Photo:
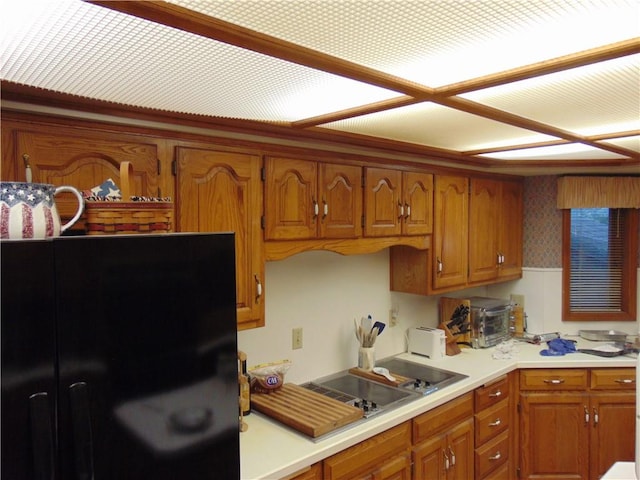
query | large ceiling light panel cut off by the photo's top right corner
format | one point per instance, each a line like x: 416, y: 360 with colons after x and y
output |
x: 435, y: 43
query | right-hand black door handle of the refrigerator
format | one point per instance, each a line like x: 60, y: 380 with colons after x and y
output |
x: 81, y: 426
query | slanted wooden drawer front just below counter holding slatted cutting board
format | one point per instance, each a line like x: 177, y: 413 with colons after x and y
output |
x: 356, y: 461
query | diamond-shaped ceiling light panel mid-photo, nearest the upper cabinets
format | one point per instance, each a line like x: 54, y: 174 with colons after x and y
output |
x: 438, y: 126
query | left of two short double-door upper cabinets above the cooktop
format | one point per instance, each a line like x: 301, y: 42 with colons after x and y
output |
x: 306, y: 199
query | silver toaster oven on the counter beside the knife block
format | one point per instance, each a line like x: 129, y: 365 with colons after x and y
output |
x: 490, y: 321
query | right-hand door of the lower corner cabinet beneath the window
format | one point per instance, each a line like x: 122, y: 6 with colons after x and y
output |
x: 613, y: 433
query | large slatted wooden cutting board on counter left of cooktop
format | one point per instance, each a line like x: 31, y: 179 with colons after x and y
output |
x: 308, y: 412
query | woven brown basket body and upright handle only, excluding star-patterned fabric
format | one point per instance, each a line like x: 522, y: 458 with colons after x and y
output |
x: 112, y: 218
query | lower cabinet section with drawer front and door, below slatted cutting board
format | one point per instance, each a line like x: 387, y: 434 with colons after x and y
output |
x: 385, y: 456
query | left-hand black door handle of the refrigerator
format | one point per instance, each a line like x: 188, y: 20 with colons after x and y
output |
x: 41, y: 436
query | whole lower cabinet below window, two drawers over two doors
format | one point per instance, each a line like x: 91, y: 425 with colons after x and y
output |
x: 575, y: 423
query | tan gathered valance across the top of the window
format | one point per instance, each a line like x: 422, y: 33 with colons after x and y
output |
x: 598, y: 192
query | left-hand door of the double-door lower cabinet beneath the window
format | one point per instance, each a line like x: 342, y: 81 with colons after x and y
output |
x: 554, y: 435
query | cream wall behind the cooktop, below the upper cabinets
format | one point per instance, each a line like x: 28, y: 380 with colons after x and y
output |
x: 323, y: 292
